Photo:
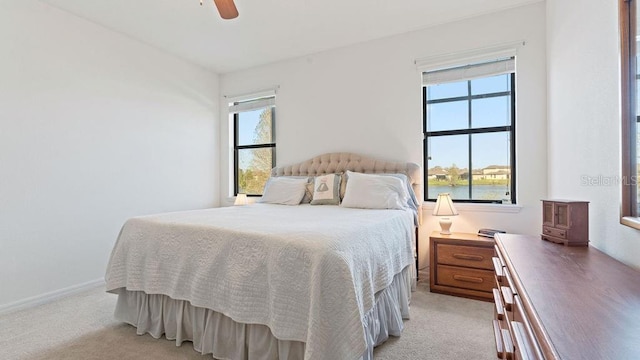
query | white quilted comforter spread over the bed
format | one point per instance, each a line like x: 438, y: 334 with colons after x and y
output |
x: 308, y: 272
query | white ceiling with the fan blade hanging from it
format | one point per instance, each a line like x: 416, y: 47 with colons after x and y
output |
x: 269, y: 30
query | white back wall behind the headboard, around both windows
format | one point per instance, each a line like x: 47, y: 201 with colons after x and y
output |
x: 366, y: 98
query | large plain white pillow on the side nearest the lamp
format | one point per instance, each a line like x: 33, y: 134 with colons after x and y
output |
x: 369, y: 191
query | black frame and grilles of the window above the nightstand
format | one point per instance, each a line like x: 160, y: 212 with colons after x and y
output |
x: 468, y: 131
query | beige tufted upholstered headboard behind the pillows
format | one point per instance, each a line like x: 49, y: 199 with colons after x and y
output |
x: 340, y: 162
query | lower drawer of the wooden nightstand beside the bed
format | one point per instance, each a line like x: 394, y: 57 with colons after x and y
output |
x: 475, y: 279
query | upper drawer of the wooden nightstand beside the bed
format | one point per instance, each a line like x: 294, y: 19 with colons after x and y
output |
x: 469, y: 256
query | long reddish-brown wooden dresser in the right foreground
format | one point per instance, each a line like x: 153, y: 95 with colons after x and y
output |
x: 560, y: 302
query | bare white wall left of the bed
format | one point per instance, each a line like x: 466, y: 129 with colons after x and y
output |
x: 94, y: 128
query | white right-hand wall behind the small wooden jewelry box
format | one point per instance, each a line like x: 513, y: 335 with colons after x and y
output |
x: 584, y: 112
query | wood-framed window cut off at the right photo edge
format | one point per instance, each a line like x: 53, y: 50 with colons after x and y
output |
x: 630, y: 88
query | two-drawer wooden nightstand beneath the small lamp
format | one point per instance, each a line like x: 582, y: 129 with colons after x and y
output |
x: 461, y: 265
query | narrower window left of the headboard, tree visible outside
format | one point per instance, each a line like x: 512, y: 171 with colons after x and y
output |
x: 254, y: 143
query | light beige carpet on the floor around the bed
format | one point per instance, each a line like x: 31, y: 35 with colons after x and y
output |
x: 81, y: 326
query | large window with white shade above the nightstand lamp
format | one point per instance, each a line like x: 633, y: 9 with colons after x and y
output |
x: 469, y: 132
